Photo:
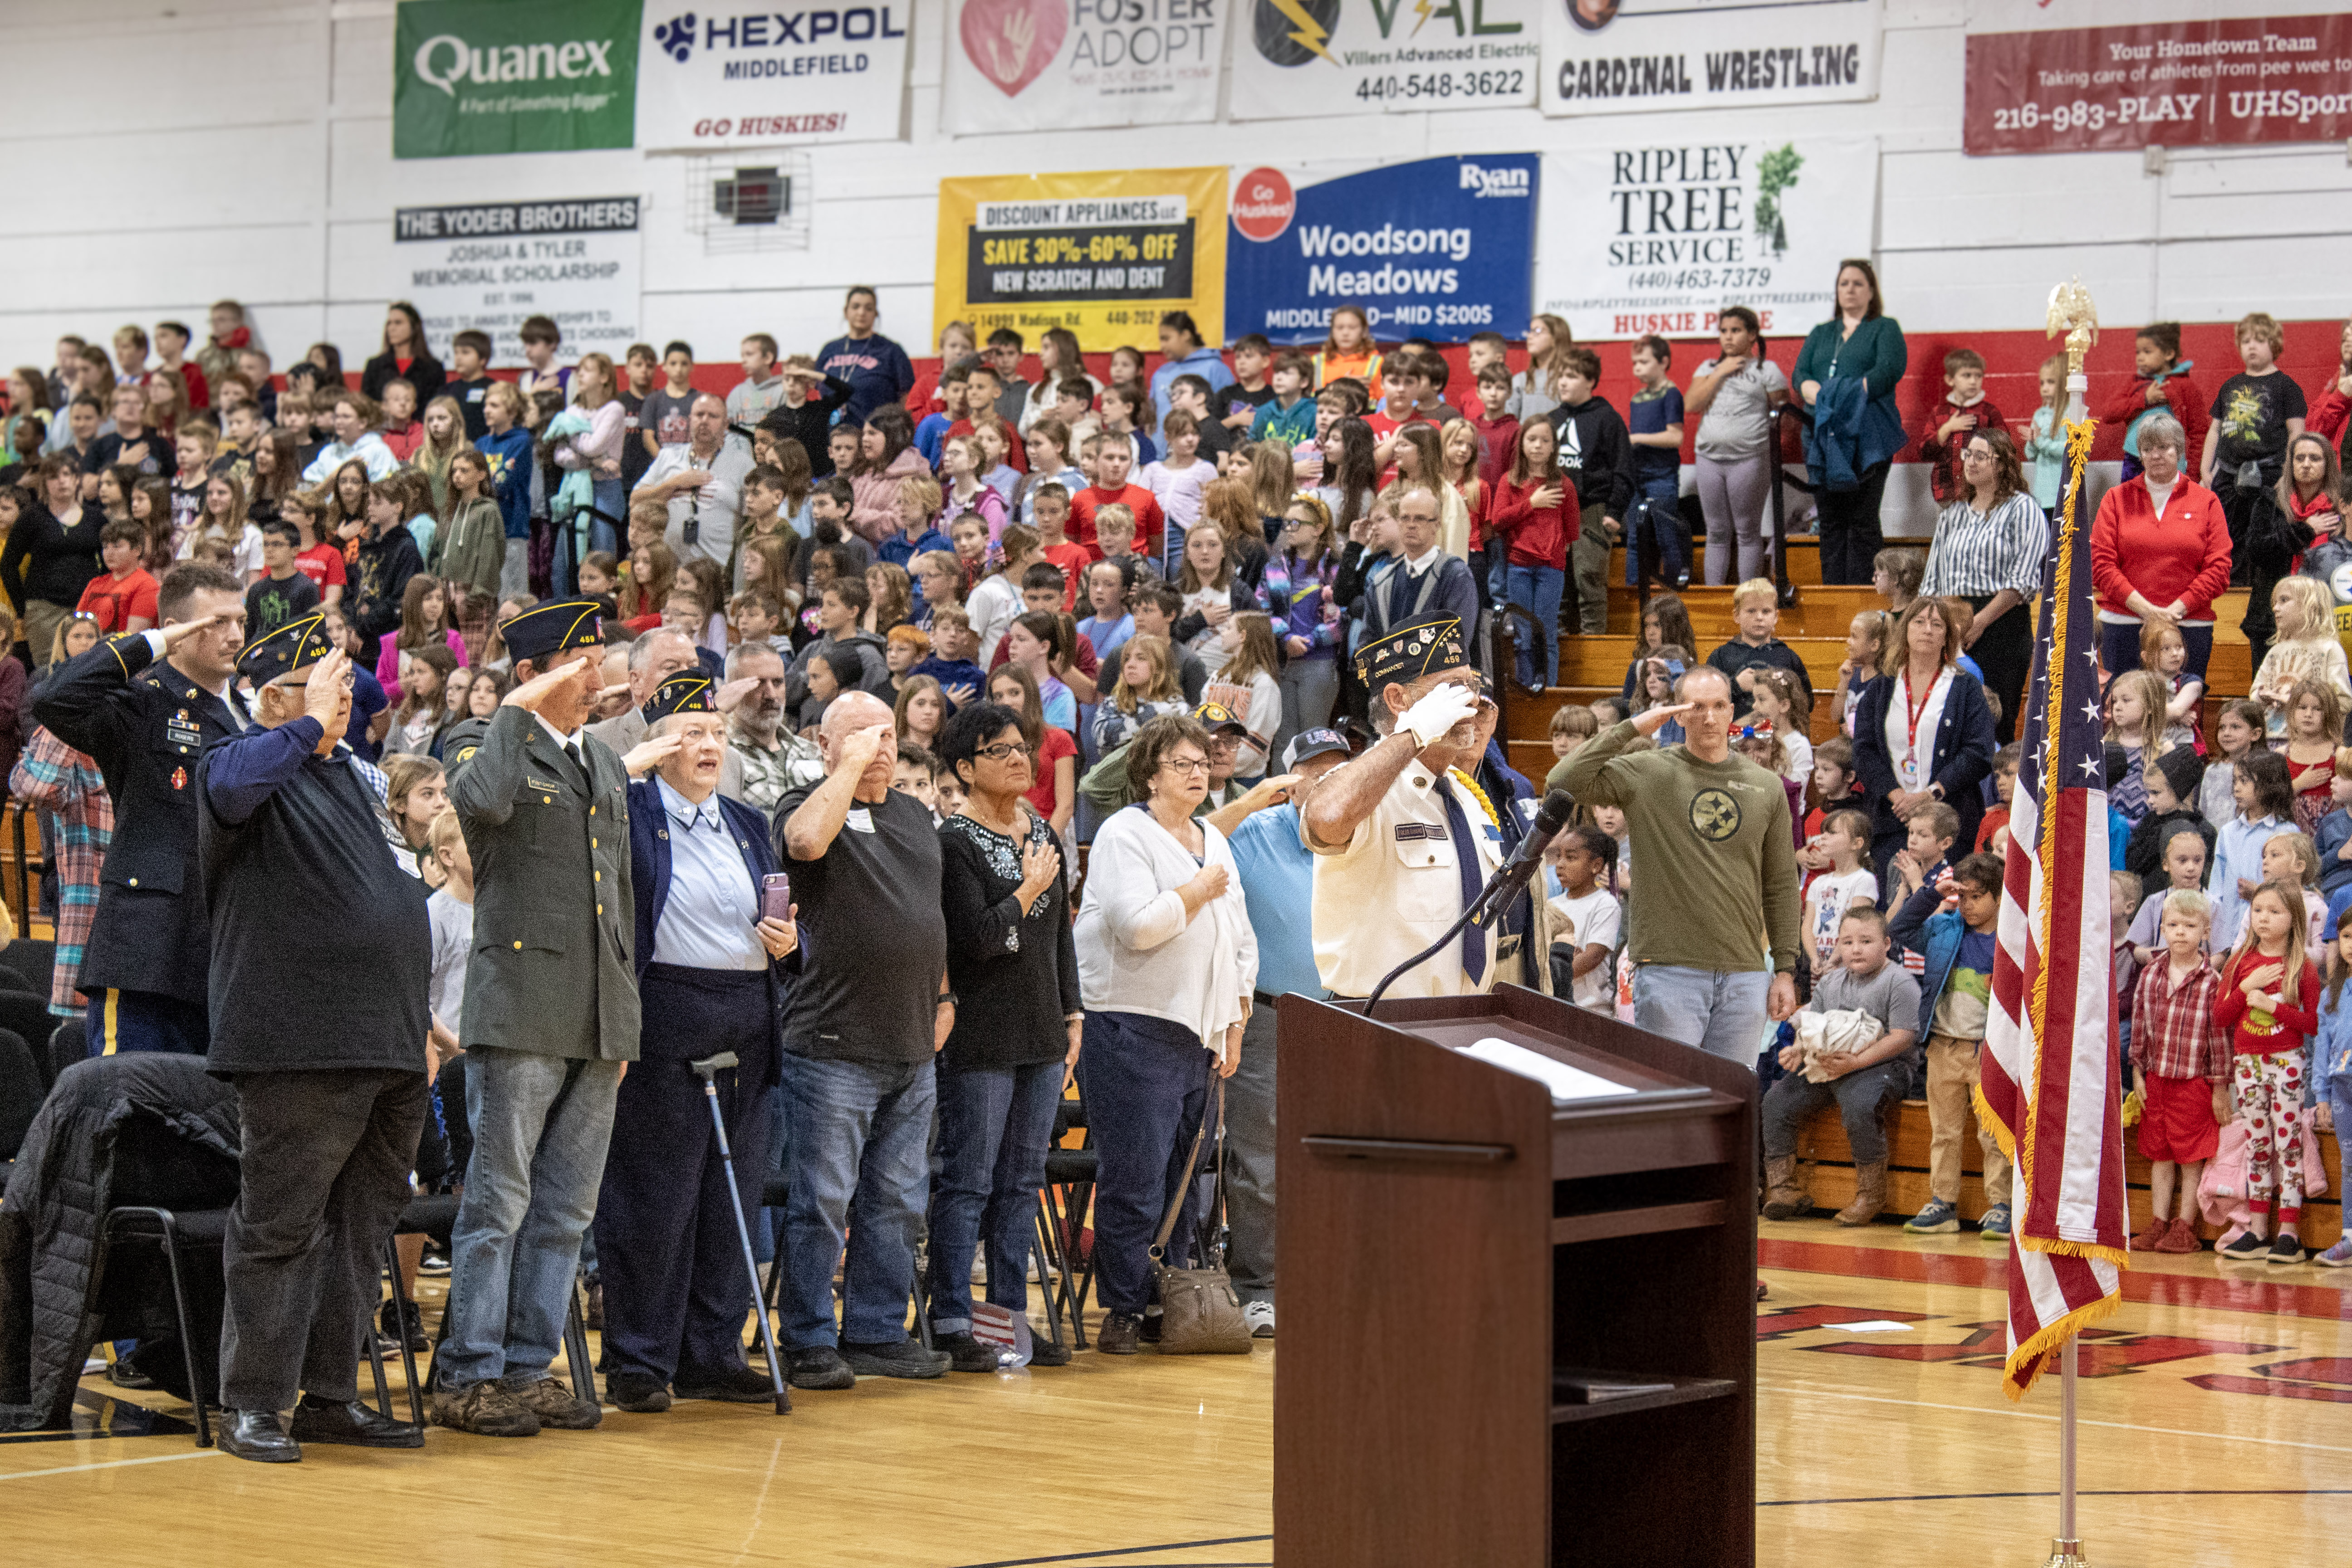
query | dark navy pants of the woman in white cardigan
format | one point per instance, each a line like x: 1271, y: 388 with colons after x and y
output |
x: 1147, y: 1085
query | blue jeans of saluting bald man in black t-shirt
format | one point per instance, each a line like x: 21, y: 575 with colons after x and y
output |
x: 860, y: 1139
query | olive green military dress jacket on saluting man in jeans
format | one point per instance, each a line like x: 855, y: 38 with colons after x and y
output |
x: 554, y: 916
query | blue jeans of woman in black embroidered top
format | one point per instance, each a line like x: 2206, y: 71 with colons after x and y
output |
x: 994, y: 1130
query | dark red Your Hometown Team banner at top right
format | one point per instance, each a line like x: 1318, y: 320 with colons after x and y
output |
x: 2160, y: 83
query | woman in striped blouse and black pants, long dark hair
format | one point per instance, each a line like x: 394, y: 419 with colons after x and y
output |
x: 1989, y: 551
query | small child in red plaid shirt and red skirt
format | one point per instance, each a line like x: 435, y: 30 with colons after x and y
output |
x: 2181, y: 1068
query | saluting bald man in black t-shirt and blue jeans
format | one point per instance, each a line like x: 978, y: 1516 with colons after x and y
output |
x: 860, y: 1036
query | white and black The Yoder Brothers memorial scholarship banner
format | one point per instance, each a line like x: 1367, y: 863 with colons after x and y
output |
x: 490, y: 264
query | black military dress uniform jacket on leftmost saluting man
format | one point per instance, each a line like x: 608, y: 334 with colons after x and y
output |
x: 147, y: 725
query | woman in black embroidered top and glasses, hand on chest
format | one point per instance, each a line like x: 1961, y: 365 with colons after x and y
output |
x: 1015, y: 974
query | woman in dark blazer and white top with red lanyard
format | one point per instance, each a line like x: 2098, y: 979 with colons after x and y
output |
x: 1923, y: 730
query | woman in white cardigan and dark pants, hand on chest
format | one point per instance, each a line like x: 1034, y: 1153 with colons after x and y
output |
x: 1165, y: 967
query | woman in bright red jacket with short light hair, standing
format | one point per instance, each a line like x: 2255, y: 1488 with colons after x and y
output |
x: 2160, y: 554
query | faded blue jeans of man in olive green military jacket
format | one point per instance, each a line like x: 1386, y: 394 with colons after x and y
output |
x: 540, y: 1134
